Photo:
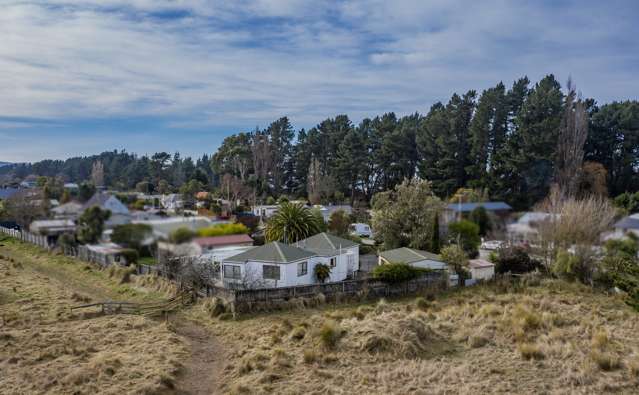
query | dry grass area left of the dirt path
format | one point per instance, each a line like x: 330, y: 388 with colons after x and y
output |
x: 47, y: 349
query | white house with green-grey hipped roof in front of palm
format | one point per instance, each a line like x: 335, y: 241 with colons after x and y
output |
x: 276, y: 264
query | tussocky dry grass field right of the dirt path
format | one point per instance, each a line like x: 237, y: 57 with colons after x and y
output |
x: 537, y: 339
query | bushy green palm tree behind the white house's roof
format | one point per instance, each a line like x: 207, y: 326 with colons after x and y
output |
x: 291, y: 223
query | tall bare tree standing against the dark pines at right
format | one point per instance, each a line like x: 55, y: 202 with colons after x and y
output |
x: 572, y: 137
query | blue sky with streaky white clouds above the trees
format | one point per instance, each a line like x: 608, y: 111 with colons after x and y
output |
x: 82, y: 77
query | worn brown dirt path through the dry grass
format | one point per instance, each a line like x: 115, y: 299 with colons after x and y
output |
x: 203, y: 368
